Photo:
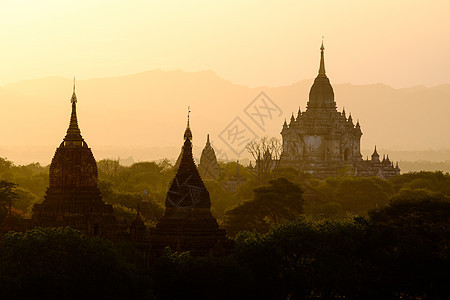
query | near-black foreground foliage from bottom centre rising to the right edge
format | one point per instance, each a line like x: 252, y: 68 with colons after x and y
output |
x: 400, y: 251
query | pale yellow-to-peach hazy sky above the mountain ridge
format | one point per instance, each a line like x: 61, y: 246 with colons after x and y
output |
x: 400, y: 43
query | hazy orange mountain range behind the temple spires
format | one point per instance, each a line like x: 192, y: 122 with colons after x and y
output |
x: 144, y: 115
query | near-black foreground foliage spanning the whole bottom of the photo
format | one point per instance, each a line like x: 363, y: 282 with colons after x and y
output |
x: 400, y: 251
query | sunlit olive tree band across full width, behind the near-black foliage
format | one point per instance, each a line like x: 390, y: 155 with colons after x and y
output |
x: 250, y: 205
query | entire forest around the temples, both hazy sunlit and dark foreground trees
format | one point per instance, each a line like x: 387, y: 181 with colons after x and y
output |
x: 296, y: 237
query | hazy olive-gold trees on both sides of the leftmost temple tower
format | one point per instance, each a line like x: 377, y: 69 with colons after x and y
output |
x: 121, y: 186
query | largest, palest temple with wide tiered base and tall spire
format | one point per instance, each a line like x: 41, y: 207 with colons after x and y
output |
x: 321, y: 140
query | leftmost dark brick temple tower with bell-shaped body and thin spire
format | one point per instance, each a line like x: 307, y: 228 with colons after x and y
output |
x: 73, y: 198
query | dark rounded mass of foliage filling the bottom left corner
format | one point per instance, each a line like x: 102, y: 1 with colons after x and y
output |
x: 62, y: 263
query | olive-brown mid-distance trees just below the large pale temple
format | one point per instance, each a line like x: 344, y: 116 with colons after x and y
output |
x: 337, y: 198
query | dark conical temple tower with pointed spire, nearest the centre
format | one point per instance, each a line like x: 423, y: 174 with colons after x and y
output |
x: 187, y: 224
